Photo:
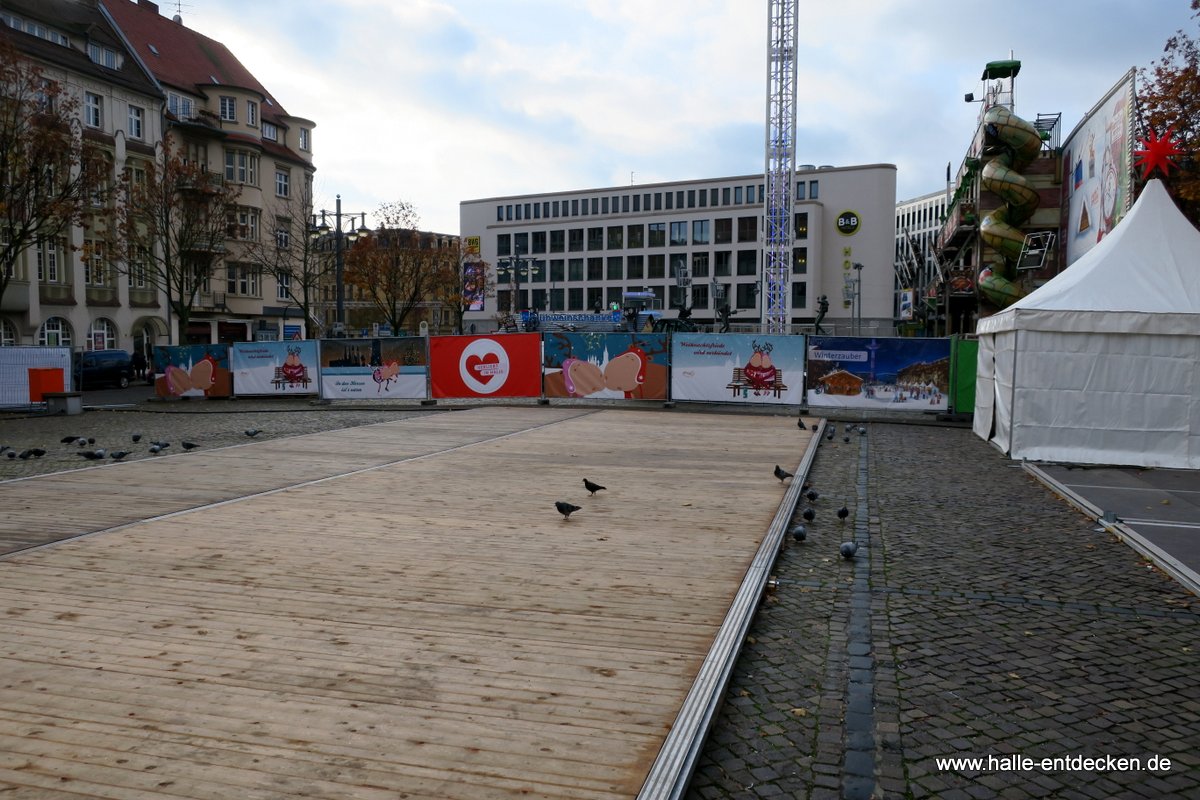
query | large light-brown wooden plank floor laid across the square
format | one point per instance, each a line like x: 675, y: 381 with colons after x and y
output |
x: 428, y: 629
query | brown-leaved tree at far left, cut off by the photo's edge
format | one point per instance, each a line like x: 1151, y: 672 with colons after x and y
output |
x: 53, y: 177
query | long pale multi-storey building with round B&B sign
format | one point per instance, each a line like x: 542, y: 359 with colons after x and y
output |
x: 583, y: 251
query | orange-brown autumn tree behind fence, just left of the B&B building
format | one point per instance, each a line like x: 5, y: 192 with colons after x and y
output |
x: 400, y: 269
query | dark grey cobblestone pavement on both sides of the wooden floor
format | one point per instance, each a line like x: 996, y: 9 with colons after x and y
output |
x: 982, y: 617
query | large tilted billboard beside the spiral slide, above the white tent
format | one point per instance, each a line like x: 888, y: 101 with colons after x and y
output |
x: 1097, y: 171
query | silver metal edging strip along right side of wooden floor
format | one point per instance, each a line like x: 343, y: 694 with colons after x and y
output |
x: 671, y: 772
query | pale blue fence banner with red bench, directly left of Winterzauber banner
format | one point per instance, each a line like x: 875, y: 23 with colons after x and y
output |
x: 737, y: 369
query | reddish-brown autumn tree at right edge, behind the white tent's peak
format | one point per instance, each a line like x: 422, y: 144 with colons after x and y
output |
x: 1171, y: 99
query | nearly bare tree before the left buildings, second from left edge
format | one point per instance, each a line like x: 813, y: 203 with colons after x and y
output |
x: 173, y: 228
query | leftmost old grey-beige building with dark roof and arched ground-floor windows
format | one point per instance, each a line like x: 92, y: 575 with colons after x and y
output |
x: 63, y: 291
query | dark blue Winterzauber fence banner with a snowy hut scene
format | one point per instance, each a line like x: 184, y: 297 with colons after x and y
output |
x: 909, y: 375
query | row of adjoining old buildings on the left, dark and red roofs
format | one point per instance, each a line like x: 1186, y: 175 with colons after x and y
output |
x: 149, y: 87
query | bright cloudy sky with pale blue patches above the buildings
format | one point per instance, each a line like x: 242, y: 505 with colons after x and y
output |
x: 441, y: 101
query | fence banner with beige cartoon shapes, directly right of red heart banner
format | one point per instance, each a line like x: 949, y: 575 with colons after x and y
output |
x: 631, y: 366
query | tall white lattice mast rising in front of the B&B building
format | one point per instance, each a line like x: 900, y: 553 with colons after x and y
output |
x: 781, y: 171
